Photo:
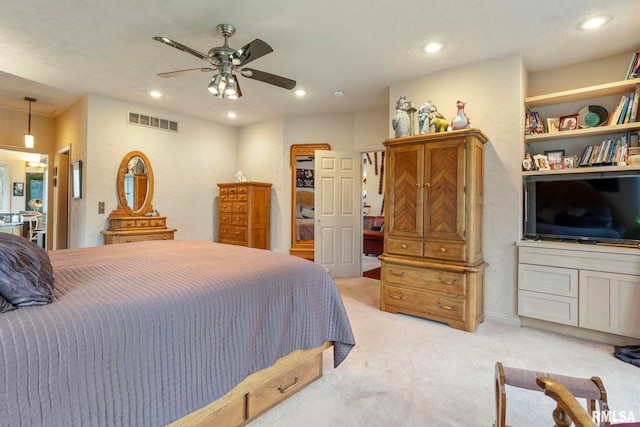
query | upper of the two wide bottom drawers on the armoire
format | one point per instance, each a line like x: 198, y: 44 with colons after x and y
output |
x: 424, y: 279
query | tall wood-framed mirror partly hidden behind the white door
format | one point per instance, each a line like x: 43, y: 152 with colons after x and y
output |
x: 302, y: 158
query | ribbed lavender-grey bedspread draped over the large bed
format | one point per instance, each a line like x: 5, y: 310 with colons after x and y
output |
x: 144, y: 333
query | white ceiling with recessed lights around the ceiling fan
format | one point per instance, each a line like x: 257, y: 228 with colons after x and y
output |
x: 57, y: 51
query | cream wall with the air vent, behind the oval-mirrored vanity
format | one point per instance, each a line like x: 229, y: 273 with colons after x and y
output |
x: 186, y: 165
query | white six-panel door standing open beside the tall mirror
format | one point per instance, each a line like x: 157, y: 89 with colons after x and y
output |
x: 338, y: 217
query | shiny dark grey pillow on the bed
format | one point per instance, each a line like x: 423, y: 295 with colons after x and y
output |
x: 26, y: 275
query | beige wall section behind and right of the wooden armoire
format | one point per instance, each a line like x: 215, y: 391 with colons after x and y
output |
x: 493, y: 91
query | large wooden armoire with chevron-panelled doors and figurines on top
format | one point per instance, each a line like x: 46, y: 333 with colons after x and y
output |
x: 432, y: 265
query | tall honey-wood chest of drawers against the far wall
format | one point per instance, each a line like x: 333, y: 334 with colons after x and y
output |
x: 244, y: 212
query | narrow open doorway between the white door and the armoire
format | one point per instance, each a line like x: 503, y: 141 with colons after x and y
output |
x: 373, y: 212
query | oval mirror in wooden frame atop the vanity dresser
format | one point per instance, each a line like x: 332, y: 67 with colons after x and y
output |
x: 135, y: 184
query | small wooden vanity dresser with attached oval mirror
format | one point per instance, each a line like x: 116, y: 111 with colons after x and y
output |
x: 135, y: 219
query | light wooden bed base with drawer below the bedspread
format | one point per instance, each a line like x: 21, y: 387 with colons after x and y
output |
x: 260, y: 391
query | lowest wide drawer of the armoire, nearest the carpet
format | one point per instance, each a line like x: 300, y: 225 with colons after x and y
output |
x: 440, y: 305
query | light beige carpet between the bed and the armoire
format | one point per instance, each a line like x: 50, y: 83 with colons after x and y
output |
x: 407, y: 371
